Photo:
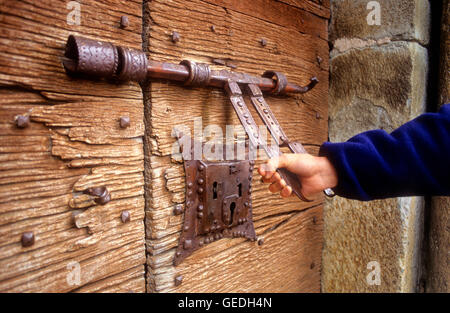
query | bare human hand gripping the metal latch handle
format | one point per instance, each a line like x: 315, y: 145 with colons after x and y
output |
x: 315, y: 173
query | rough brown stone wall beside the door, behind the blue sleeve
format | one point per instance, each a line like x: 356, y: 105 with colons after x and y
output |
x: 378, y: 79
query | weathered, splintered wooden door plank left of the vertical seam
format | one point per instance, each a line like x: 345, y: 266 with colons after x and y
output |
x: 73, y: 142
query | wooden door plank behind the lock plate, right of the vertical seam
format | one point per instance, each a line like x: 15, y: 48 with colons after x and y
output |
x: 289, y: 260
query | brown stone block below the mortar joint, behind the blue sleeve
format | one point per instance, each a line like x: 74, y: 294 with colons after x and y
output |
x: 374, y: 87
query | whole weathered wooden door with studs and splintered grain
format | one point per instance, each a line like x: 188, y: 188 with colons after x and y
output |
x: 74, y: 142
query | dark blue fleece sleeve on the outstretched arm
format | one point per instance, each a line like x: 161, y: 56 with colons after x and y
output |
x: 412, y: 160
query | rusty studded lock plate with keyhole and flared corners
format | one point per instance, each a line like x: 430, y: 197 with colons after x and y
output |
x: 218, y: 204
